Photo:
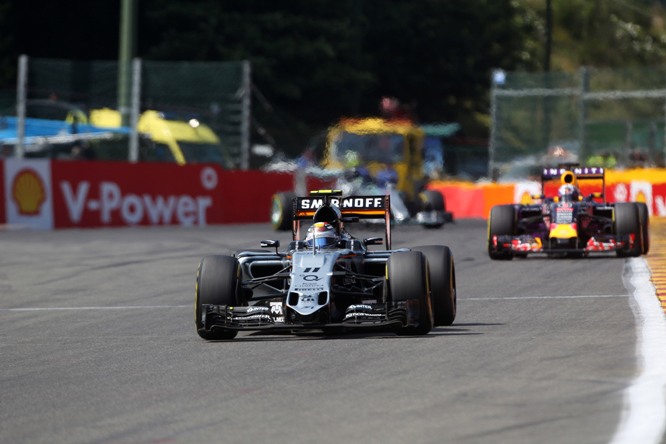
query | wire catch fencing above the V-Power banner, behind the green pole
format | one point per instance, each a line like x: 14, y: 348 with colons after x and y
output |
x: 217, y: 94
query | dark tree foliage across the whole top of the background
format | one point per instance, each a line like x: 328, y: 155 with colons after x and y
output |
x: 316, y: 60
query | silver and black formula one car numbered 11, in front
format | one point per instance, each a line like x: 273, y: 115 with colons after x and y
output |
x: 331, y: 281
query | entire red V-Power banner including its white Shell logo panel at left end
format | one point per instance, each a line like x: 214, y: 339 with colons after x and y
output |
x: 45, y: 194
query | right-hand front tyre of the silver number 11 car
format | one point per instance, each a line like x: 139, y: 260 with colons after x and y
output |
x: 408, y: 281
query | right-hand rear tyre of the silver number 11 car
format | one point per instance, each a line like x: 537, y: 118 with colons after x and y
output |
x: 442, y: 282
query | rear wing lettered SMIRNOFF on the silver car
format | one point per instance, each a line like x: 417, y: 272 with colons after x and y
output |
x: 352, y: 208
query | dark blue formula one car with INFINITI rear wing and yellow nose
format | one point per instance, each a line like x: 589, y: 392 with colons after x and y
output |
x: 569, y: 224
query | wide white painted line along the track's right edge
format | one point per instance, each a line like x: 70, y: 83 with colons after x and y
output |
x: 644, y: 412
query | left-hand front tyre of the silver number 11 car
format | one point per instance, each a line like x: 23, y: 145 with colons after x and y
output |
x: 217, y: 284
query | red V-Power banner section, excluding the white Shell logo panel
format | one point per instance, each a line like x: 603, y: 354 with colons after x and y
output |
x: 89, y: 194
